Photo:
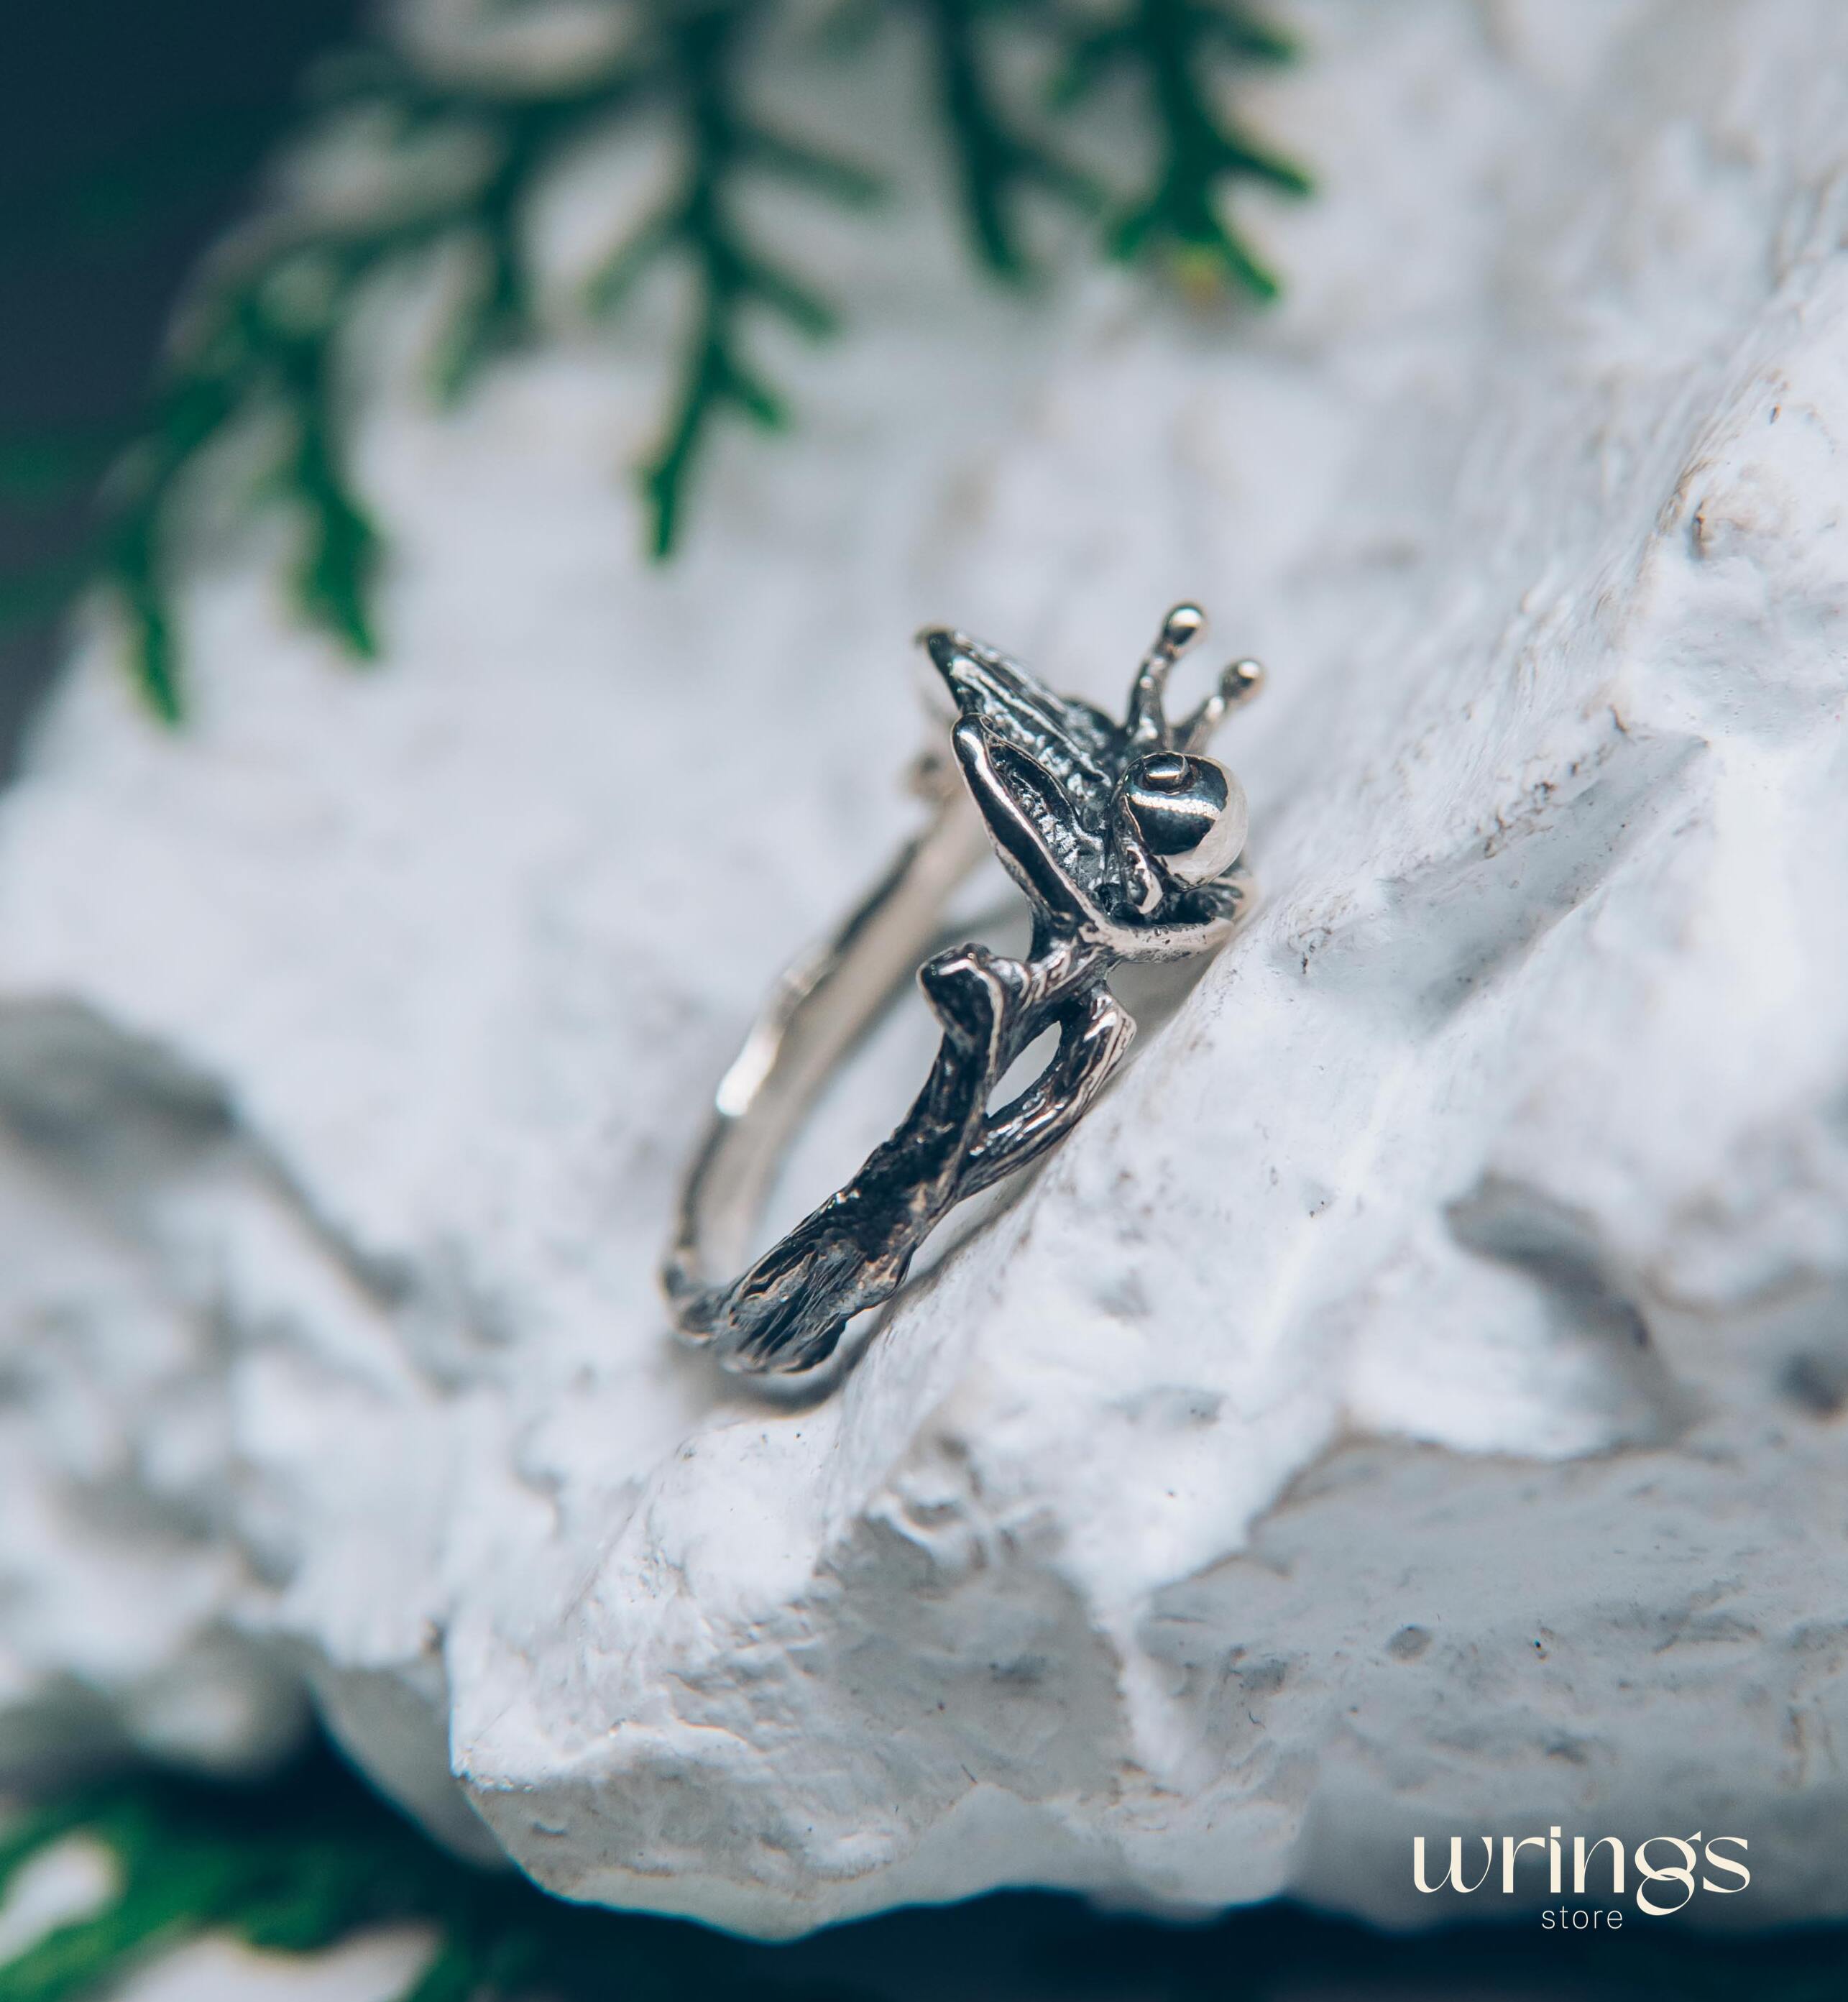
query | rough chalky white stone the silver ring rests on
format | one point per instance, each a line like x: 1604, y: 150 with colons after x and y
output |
x: 1411, y: 1404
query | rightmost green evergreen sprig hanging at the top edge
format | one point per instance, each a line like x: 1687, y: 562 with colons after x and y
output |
x: 1172, y: 47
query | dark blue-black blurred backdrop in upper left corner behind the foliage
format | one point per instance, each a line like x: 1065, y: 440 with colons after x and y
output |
x: 129, y: 135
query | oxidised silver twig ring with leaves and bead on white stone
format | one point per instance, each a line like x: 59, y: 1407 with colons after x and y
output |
x: 1126, y: 840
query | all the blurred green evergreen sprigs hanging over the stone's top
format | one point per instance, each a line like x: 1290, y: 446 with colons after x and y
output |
x: 263, y: 329
